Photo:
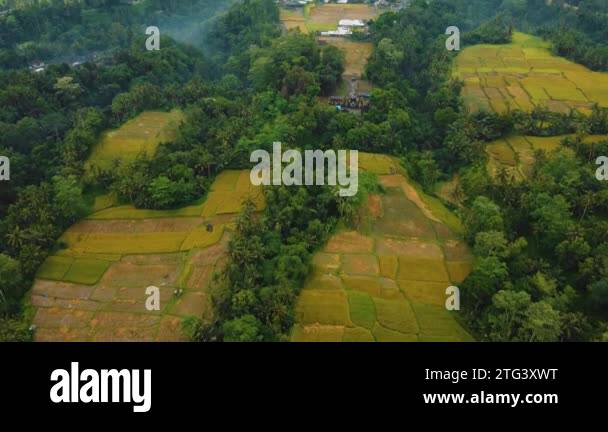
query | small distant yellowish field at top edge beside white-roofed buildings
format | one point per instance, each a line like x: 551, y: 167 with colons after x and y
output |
x: 315, y: 18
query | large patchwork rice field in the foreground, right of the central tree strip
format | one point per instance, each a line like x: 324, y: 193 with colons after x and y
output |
x: 387, y: 282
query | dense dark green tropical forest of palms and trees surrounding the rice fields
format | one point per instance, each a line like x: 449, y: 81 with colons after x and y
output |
x: 541, y: 244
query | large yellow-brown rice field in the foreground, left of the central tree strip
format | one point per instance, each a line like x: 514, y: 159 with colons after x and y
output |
x: 93, y: 287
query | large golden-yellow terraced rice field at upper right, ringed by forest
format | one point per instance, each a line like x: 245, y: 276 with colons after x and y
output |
x: 525, y: 74
